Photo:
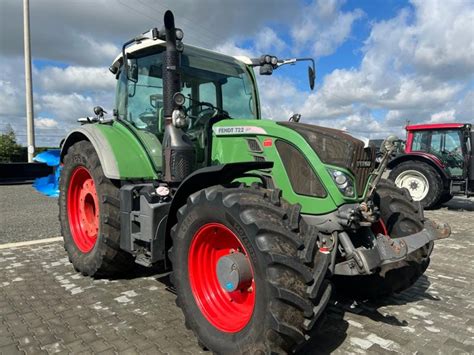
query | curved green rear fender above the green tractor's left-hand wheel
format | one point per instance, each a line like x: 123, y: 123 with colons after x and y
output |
x: 121, y: 154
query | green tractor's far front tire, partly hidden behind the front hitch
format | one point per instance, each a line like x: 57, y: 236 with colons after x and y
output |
x: 402, y: 216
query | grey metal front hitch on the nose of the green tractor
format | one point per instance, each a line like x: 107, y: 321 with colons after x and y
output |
x: 387, y: 250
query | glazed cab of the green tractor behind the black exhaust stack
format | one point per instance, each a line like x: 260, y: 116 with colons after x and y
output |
x: 214, y: 86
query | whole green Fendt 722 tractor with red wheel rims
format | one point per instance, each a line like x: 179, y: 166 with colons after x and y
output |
x: 259, y: 221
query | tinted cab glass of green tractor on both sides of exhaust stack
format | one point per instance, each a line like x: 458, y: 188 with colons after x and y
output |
x: 206, y: 77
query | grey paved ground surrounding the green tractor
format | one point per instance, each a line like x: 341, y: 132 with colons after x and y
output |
x: 46, y: 307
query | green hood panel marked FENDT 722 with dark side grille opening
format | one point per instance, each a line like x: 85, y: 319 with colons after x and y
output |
x: 229, y: 145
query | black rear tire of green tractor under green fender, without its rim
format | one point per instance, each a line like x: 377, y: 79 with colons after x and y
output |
x: 105, y: 258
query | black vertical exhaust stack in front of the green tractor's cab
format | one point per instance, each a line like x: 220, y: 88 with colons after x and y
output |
x: 178, y: 150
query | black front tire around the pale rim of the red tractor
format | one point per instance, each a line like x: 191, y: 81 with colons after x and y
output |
x: 435, y: 182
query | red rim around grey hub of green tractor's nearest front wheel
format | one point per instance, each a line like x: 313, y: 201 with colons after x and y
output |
x: 227, y: 311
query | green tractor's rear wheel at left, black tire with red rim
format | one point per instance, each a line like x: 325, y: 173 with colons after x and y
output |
x: 89, y: 212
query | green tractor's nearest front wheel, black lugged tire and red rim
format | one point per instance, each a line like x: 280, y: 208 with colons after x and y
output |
x: 248, y: 275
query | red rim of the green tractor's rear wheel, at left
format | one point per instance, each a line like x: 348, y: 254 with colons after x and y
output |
x: 83, y: 209
